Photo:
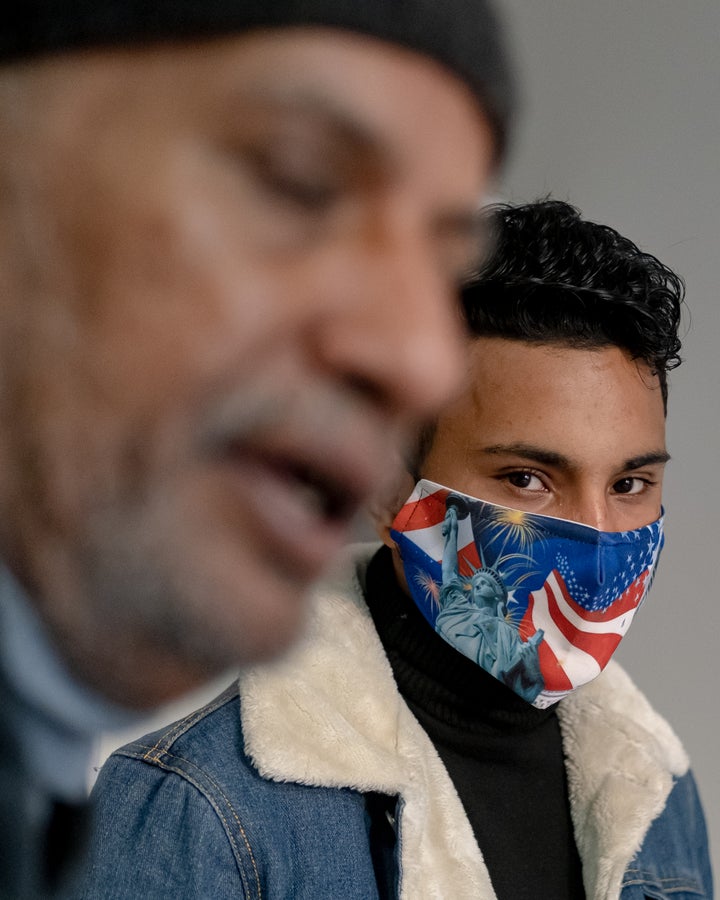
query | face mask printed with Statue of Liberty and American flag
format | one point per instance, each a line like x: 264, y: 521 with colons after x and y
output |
x: 540, y: 603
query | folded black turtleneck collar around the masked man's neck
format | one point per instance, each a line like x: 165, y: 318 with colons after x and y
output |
x: 430, y: 673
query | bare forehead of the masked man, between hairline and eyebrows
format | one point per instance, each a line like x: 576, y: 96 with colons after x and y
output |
x: 543, y: 403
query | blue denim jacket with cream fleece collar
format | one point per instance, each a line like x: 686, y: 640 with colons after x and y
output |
x: 311, y: 779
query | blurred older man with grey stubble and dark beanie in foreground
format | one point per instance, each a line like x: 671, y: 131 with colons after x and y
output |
x: 205, y: 209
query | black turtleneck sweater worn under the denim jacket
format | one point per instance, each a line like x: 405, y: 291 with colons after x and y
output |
x: 504, y: 756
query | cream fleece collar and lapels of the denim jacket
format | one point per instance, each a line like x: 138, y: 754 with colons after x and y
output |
x: 329, y: 714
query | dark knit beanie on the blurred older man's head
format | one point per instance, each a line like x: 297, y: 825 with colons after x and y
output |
x: 463, y: 35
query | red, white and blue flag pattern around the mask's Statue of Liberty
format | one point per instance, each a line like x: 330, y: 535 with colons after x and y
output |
x: 581, y: 587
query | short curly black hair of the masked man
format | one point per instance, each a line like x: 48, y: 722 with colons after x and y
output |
x: 555, y: 278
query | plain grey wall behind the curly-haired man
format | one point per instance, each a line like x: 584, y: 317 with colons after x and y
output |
x: 622, y: 118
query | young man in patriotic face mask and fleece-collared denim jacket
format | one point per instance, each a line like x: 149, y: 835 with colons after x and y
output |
x: 413, y: 746
